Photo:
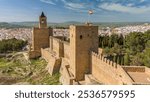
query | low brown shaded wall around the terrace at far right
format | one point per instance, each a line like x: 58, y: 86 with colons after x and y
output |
x: 134, y: 68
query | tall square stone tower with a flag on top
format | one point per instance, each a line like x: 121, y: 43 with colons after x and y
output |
x: 83, y: 40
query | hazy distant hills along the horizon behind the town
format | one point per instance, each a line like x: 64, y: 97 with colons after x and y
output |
x: 65, y: 24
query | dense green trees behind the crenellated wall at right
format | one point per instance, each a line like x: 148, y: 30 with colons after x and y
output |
x: 133, y: 49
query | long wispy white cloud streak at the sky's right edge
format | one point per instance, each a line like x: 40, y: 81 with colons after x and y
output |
x: 126, y: 9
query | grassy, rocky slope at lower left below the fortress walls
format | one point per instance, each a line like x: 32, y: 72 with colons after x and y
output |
x: 17, y: 70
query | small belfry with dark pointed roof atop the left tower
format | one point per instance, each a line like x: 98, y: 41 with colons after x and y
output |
x: 43, y: 21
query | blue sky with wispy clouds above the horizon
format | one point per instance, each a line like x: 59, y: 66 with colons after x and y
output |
x: 75, y: 10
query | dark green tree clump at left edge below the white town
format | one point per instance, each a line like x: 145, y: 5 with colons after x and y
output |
x: 12, y: 45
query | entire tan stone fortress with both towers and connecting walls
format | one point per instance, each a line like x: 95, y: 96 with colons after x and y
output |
x: 80, y: 61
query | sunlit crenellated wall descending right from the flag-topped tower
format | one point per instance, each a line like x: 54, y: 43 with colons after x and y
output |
x: 108, y: 72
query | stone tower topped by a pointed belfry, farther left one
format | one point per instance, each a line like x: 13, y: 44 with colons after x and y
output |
x: 40, y: 37
